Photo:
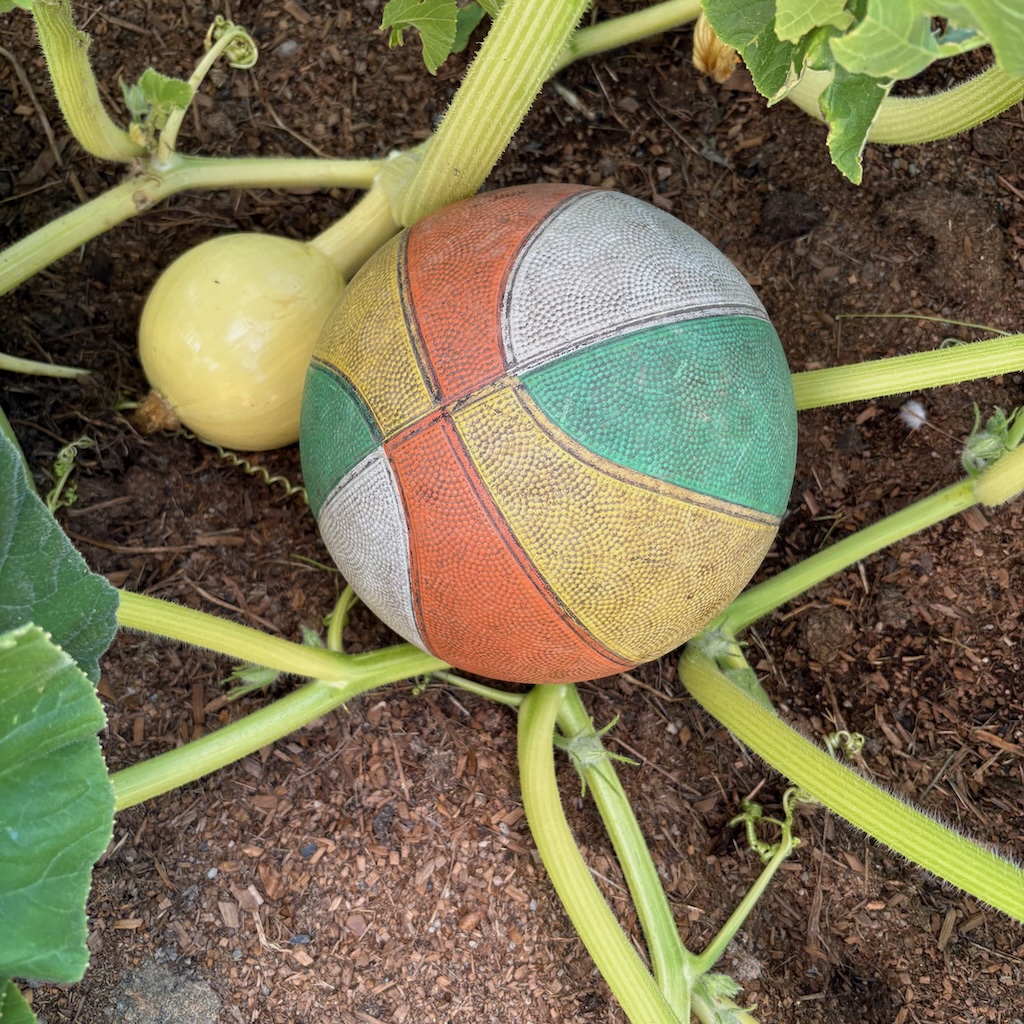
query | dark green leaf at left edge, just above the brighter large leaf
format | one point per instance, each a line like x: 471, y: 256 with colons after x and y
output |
x: 44, y: 579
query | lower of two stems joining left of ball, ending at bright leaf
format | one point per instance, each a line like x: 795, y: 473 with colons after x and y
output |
x: 217, y: 750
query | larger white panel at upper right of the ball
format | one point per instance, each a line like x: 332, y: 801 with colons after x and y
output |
x: 605, y: 265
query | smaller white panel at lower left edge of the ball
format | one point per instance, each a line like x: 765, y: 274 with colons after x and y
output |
x: 363, y: 524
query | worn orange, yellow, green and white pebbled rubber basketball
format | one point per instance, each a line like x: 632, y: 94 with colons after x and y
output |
x: 548, y: 434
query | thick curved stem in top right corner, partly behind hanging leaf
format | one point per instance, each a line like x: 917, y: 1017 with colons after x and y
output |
x: 909, y: 121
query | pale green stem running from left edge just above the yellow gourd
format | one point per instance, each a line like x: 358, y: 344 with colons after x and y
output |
x: 140, y: 193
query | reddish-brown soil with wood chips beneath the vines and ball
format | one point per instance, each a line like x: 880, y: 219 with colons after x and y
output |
x: 376, y: 868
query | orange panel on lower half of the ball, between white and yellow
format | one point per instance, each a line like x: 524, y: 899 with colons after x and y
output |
x: 479, y: 602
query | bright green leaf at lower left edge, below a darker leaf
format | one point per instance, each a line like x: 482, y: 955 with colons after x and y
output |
x: 57, y: 807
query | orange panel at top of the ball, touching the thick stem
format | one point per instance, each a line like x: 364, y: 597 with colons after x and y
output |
x: 456, y: 266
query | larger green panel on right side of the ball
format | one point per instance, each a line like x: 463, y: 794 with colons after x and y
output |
x: 704, y: 404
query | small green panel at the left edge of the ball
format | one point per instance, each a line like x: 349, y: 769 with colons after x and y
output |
x: 336, y: 433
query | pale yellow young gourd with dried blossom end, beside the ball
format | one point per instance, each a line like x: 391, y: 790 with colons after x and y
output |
x: 227, y: 336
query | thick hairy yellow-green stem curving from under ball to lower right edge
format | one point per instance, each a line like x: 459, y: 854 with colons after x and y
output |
x: 902, y: 828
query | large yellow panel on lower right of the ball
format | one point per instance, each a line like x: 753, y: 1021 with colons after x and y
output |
x: 643, y: 565
